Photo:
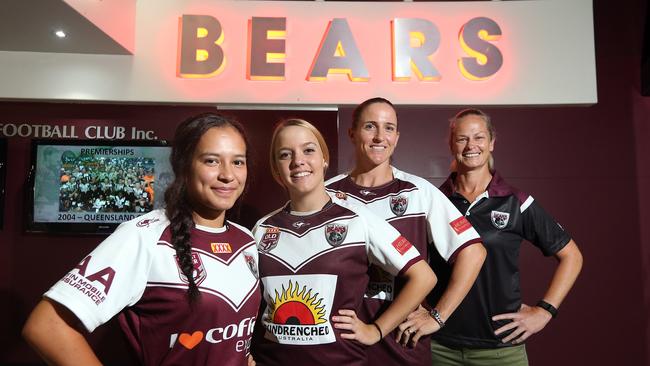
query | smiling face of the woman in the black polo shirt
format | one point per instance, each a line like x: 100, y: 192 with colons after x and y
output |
x: 471, y: 143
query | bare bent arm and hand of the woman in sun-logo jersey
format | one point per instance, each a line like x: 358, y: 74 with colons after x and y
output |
x: 420, y: 279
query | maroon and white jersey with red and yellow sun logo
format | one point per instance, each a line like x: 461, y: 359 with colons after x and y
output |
x: 312, y: 266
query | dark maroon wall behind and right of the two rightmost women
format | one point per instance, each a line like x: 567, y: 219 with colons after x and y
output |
x: 590, y: 167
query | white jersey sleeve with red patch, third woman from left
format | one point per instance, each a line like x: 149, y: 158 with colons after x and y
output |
x: 448, y: 229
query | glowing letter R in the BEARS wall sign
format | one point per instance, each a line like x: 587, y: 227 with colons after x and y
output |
x: 414, y: 40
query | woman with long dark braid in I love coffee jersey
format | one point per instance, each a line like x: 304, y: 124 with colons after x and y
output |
x: 184, y: 280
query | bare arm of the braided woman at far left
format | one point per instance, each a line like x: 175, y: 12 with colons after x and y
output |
x: 55, y: 333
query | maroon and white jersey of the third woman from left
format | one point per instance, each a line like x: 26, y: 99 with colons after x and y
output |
x: 425, y: 217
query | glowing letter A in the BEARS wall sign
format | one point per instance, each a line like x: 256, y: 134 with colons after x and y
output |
x: 338, y: 54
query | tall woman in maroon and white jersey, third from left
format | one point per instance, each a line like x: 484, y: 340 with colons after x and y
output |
x: 422, y: 214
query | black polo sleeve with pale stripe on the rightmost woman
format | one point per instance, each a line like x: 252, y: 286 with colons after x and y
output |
x: 541, y: 229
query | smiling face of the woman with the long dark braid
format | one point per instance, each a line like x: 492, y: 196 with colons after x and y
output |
x: 218, y: 174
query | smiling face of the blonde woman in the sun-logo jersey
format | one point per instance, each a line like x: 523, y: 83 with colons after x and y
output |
x: 299, y: 161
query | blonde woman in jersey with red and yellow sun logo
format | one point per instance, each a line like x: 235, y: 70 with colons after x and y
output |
x: 314, y: 257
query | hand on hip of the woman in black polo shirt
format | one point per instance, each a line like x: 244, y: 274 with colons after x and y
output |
x: 526, y: 322
